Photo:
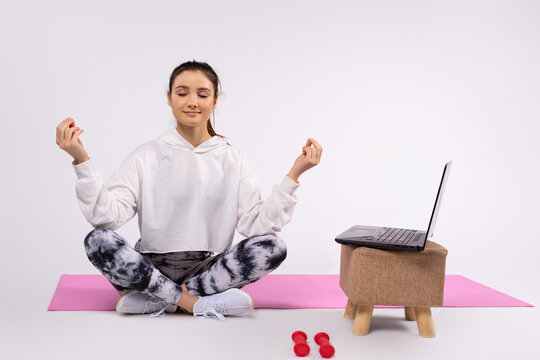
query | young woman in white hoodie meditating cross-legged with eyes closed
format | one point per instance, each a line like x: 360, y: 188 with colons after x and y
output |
x: 191, y: 190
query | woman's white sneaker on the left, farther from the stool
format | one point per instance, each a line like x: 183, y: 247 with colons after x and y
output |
x: 136, y: 302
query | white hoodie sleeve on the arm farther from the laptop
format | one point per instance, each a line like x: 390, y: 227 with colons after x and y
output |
x: 108, y: 205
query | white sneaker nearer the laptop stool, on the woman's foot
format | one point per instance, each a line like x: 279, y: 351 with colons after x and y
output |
x: 233, y: 302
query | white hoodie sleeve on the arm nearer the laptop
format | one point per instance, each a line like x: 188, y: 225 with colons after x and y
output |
x: 260, y: 217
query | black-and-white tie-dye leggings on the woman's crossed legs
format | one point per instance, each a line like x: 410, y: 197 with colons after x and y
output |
x: 239, y: 265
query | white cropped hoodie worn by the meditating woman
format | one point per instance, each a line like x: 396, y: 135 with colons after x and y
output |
x: 187, y: 198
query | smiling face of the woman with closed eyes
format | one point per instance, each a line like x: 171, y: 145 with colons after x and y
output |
x: 192, y: 99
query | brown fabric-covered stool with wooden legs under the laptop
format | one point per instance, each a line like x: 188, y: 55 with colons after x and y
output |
x: 414, y: 280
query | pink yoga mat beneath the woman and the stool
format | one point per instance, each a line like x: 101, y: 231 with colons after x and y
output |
x: 94, y: 292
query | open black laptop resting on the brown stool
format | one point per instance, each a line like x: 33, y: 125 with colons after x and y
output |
x: 396, y: 238
